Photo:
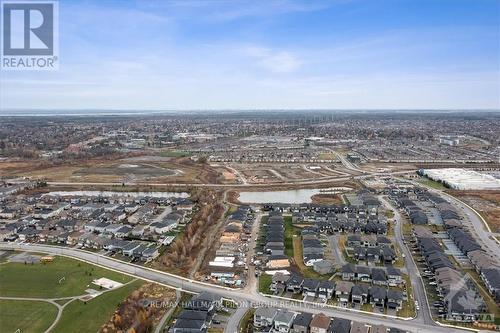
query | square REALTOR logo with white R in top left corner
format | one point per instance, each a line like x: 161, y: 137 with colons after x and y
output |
x: 29, y: 35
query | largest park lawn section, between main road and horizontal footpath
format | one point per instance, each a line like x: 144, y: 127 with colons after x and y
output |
x: 42, y: 280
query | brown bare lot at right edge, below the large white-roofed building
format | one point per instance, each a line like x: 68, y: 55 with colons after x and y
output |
x: 487, y: 203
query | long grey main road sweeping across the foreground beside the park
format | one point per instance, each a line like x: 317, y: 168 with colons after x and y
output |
x: 241, y: 296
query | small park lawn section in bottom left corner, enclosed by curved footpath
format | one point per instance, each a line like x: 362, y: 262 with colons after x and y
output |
x: 27, y: 316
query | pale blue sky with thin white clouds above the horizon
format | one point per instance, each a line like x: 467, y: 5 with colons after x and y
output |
x: 268, y: 54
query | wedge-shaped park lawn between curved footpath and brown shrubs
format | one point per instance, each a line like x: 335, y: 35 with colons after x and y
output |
x: 80, y: 317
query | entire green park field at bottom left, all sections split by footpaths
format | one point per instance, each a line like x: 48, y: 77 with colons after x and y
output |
x: 44, y: 281
